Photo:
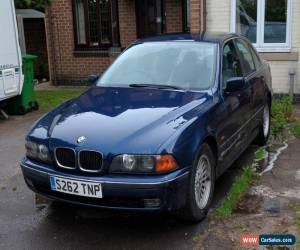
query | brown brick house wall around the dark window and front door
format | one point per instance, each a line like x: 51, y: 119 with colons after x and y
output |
x: 68, y: 67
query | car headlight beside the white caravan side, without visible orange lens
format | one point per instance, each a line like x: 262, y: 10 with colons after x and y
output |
x: 37, y: 152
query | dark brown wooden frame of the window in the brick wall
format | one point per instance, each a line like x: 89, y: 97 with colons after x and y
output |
x: 87, y: 47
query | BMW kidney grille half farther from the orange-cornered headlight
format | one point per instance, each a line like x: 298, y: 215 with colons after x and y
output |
x: 65, y: 158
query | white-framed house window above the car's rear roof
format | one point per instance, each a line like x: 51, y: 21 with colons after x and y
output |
x: 266, y: 23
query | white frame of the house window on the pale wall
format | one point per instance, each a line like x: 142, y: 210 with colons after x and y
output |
x: 260, y: 45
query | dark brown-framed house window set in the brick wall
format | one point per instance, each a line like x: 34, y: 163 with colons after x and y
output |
x: 96, y: 24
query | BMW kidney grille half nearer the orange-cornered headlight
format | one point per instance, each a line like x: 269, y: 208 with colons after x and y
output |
x: 90, y: 161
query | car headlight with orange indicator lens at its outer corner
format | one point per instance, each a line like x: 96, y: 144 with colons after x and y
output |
x: 142, y: 164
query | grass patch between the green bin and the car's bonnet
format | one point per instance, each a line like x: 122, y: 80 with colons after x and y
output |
x: 49, y: 99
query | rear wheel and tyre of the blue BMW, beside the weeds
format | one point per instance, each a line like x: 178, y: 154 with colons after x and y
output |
x: 264, y: 129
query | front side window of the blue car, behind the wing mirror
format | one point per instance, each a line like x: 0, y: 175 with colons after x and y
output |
x: 231, y: 66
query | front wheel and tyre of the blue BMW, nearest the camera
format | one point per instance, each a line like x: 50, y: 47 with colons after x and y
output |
x: 196, y: 207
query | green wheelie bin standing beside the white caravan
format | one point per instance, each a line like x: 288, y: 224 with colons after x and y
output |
x: 25, y: 102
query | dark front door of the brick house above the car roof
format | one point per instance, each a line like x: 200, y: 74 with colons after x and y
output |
x: 149, y: 17
